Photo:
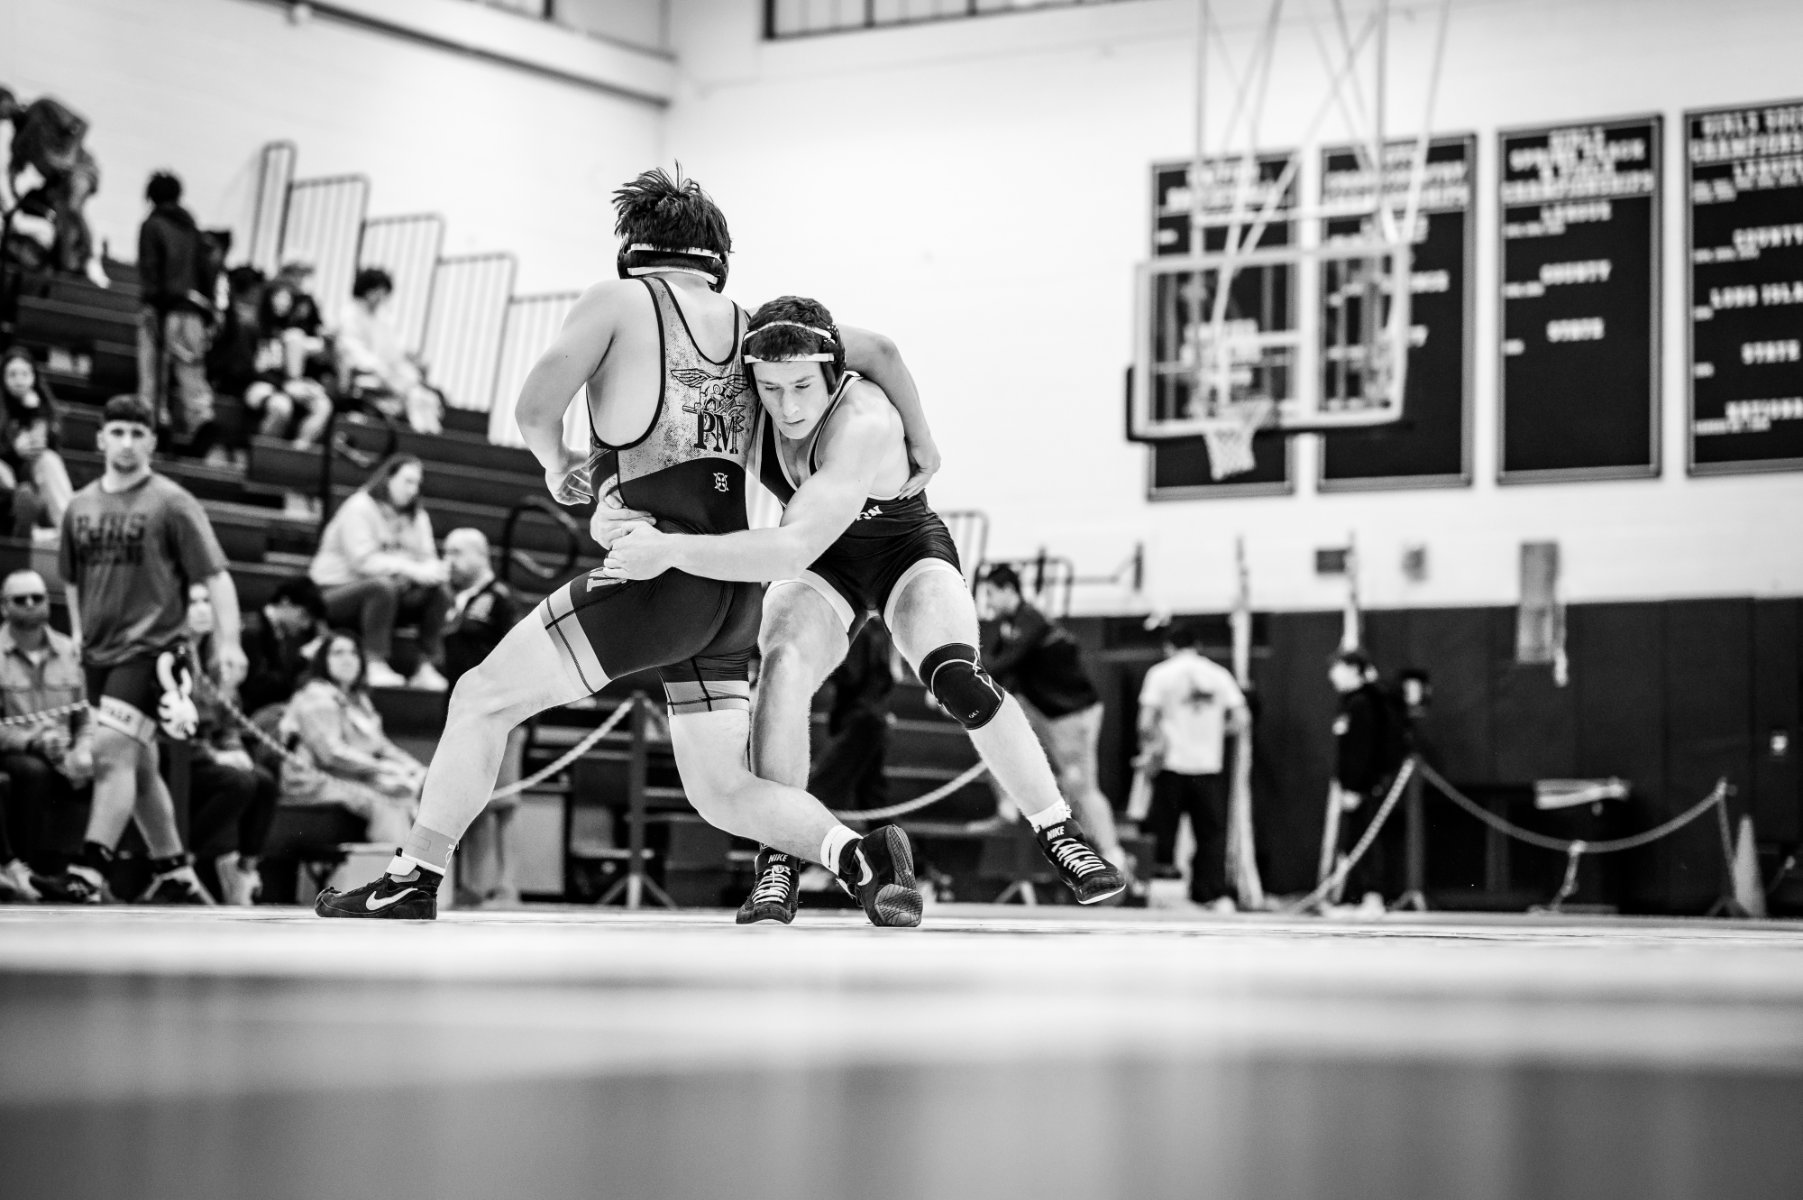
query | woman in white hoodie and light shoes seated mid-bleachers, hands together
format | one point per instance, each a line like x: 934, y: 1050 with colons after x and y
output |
x: 378, y: 563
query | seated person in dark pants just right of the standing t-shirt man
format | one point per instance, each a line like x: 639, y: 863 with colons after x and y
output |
x: 230, y: 799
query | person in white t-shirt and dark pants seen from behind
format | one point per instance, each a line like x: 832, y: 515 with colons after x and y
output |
x: 1189, y: 705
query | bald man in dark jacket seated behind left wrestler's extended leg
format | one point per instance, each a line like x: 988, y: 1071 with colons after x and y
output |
x: 482, y: 612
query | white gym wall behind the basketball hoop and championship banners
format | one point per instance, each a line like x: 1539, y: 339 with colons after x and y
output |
x: 980, y: 190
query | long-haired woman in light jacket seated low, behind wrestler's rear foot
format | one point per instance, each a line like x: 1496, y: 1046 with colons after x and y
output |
x: 340, y: 752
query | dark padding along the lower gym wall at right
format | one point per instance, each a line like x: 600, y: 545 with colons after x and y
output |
x: 1669, y: 696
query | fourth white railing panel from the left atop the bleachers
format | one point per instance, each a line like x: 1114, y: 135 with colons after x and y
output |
x: 464, y: 327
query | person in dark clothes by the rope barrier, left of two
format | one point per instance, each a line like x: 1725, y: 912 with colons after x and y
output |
x: 1366, y: 761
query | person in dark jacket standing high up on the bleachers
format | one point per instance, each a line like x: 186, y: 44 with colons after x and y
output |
x: 172, y: 336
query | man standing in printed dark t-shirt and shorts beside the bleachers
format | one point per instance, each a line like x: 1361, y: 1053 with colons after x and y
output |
x: 133, y: 545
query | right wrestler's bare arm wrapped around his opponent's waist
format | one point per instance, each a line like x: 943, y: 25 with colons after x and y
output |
x: 819, y: 513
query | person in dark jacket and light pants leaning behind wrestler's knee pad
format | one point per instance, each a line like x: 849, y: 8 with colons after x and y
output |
x: 1043, y: 666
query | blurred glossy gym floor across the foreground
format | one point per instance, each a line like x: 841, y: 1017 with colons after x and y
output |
x: 991, y: 1053
